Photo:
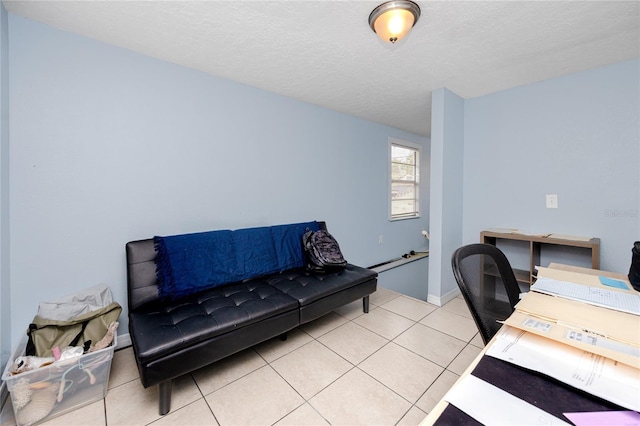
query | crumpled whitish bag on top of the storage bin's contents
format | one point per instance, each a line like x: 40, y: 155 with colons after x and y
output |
x: 71, y: 306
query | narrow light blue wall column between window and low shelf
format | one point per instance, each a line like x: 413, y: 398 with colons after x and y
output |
x: 447, y: 140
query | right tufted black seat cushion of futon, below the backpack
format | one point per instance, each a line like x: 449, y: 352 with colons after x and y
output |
x: 310, y: 287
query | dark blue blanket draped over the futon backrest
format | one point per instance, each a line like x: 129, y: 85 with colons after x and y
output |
x: 189, y: 263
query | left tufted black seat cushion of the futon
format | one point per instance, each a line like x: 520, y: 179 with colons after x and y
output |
x: 164, y: 329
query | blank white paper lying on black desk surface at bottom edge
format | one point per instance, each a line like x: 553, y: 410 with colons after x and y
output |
x: 486, y: 410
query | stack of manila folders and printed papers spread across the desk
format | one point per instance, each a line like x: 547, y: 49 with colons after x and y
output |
x: 587, y: 336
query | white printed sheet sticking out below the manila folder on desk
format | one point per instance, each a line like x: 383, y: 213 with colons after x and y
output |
x: 597, y: 375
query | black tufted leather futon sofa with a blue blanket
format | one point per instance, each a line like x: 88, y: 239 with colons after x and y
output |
x: 172, y: 337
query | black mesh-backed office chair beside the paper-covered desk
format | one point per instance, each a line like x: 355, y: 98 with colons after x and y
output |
x: 488, y: 285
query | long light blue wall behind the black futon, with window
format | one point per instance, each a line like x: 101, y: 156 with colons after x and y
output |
x: 109, y: 146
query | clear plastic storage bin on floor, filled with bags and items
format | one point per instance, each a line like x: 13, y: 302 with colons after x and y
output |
x: 47, y: 392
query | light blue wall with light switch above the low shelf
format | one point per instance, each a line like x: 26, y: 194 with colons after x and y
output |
x: 576, y: 136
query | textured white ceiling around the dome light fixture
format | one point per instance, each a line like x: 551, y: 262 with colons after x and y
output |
x: 324, y: 52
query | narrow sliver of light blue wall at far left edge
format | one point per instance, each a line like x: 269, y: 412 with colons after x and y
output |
x: 5, y: 289
